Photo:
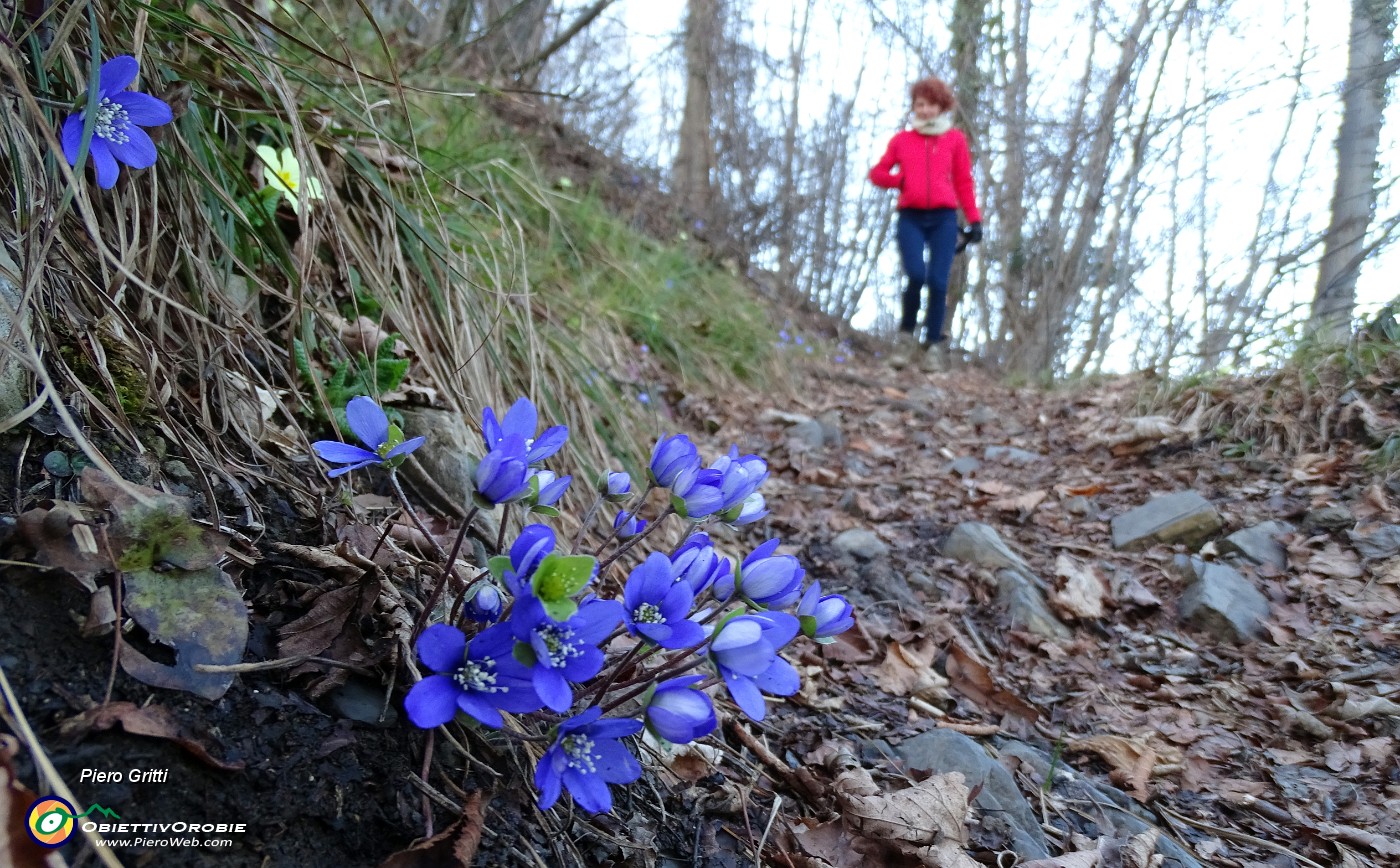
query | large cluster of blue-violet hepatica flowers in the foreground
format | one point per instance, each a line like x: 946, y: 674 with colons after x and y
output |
x: 538, y: 638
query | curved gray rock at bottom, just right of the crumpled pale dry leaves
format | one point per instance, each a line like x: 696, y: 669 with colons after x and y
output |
x: 1004, y: 811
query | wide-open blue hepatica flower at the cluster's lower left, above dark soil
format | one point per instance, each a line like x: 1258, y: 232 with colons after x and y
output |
x: 482, y: 680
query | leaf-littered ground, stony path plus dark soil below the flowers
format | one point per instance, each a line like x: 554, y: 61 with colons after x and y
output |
x: 1084, y: 638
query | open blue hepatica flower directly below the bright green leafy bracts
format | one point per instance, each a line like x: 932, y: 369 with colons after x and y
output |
x: 562, y: 652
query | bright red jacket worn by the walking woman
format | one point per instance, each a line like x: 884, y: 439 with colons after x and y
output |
x: 934, y: 173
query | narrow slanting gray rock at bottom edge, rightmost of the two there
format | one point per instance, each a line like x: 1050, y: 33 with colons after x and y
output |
x: 1108, y: 808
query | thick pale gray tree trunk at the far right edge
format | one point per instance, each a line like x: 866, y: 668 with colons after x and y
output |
x: 1354, y: 197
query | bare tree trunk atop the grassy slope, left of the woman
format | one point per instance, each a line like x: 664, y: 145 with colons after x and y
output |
x: 696, y: 150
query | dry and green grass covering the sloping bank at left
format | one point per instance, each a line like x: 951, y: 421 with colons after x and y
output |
x: 166, y: 311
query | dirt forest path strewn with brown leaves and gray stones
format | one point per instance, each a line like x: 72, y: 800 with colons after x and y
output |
x: 1241, y: 706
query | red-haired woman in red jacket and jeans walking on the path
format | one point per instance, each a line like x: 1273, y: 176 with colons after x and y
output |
x: 934, y: 180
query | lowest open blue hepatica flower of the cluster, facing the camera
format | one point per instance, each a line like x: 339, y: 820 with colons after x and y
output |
x: 586, y: 758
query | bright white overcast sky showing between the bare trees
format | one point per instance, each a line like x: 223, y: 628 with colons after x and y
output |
x: 1242, y: 134
